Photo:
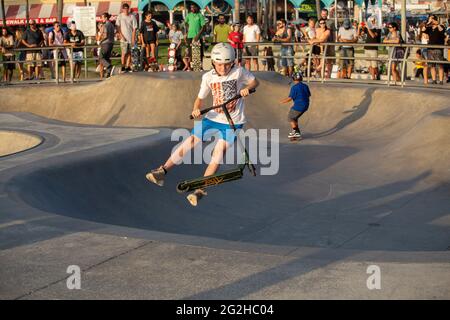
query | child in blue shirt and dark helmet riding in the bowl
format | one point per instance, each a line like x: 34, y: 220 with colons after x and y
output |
x: 300, y: 96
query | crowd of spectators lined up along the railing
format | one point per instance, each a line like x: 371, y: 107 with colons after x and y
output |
x: 310, y: 40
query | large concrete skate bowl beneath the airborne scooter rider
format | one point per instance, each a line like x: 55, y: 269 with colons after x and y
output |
x: 371, y: 174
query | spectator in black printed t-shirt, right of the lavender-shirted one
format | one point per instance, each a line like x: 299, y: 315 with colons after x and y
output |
x: 74, y: 38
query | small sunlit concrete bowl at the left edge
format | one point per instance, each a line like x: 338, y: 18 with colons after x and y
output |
x: 13, y: 142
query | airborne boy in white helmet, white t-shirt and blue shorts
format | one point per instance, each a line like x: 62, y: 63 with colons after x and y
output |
x: 224, y: 82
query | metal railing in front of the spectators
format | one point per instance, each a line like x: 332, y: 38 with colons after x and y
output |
x: 306, y: 52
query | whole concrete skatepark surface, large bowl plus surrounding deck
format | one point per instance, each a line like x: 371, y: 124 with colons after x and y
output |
x: 370, y: 183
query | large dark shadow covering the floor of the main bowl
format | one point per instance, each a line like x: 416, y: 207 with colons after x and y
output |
x: 109, y: 187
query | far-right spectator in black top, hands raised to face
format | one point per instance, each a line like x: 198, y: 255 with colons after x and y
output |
x: 436, y: 33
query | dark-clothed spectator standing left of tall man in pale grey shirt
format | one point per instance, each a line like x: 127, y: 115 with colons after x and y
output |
x: 106, y: 44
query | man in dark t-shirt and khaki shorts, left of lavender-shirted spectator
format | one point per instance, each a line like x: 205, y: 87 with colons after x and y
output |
x: 33, y: 38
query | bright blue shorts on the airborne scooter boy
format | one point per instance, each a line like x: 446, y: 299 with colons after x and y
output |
x: 206, y: 129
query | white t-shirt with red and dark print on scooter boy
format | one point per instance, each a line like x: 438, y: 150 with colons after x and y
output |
x: 224, y: 88
